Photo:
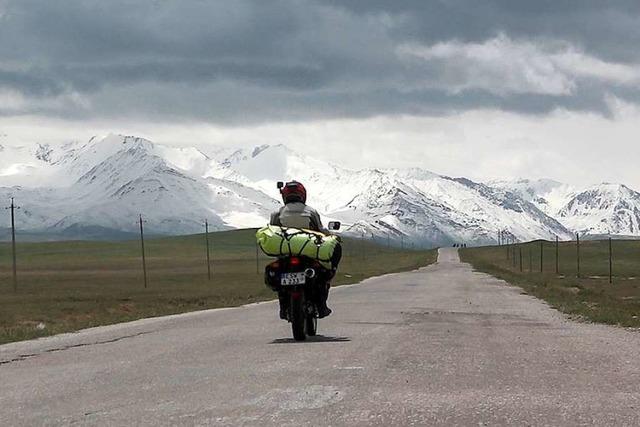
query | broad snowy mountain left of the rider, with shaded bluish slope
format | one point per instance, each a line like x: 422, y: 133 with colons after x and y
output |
x: 110, y: 180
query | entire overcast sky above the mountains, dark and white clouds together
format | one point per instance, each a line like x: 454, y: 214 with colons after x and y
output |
x: 483, y: 89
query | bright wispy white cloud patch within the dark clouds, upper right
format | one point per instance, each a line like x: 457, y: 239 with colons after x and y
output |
x: 505, y: 66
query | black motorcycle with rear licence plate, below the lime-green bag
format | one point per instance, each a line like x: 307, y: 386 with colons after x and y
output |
x: 299, y: 281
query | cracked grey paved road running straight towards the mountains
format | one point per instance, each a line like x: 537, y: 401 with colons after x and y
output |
x: 442, y: 345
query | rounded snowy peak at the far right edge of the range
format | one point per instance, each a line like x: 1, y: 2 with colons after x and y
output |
x: 604, y: 209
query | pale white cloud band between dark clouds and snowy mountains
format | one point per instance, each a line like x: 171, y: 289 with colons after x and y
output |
x: 573, y: 147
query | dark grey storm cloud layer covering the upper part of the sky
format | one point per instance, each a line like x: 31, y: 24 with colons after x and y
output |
x: 250, y: 61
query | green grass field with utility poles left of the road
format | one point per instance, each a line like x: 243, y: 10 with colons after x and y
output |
x: 67, y: 286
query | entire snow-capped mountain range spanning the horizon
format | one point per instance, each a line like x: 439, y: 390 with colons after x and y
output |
x: 106, y: 182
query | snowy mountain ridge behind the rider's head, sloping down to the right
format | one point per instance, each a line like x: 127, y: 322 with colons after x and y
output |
x: 414, y: 204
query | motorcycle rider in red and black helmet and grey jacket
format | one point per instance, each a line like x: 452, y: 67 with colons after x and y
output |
x: 296, y: 214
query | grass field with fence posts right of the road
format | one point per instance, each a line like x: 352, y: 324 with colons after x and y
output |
x: 590, y: 296
